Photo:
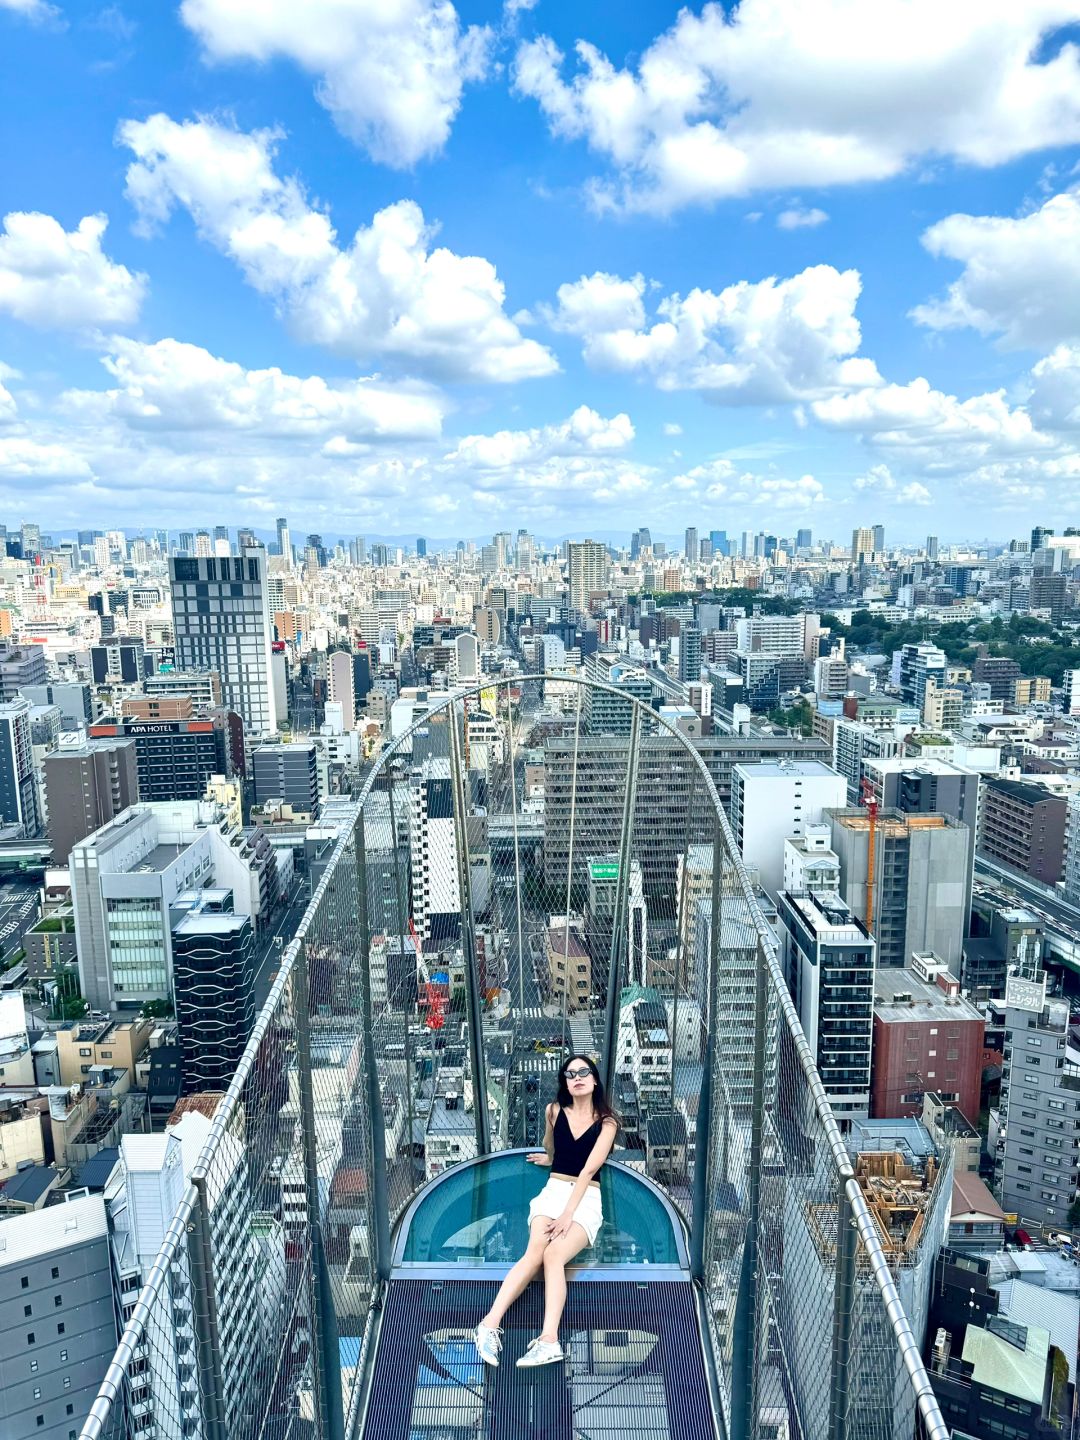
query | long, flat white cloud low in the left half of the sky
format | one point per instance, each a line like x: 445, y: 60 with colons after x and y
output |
x: 171, y: 387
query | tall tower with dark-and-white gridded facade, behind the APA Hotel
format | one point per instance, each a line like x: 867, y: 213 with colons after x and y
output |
x: 221, y: 621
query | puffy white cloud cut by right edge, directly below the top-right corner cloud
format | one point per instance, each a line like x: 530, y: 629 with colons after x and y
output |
x: 1022, y: 277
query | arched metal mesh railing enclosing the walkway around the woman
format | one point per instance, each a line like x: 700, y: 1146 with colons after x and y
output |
x: 446, y: 966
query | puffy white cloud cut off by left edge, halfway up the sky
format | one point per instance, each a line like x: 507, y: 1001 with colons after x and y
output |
x: 63, y: 280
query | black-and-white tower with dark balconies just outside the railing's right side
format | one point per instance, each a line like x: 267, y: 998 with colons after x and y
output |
x: 829, y: 960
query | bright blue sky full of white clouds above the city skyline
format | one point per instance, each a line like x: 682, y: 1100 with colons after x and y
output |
x: 390, y: 267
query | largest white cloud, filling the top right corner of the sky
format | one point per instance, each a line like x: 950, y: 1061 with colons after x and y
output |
x: 868, y: 91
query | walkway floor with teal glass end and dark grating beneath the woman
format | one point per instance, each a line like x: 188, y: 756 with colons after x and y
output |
x: 636, y: 1363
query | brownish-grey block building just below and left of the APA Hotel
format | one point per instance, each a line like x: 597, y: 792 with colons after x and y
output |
x: 86, y: 788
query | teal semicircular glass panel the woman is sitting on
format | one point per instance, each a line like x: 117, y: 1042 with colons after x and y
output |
x: 479, y: 1215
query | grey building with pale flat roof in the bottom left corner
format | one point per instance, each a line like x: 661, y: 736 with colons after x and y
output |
x: 58, y: 1327
